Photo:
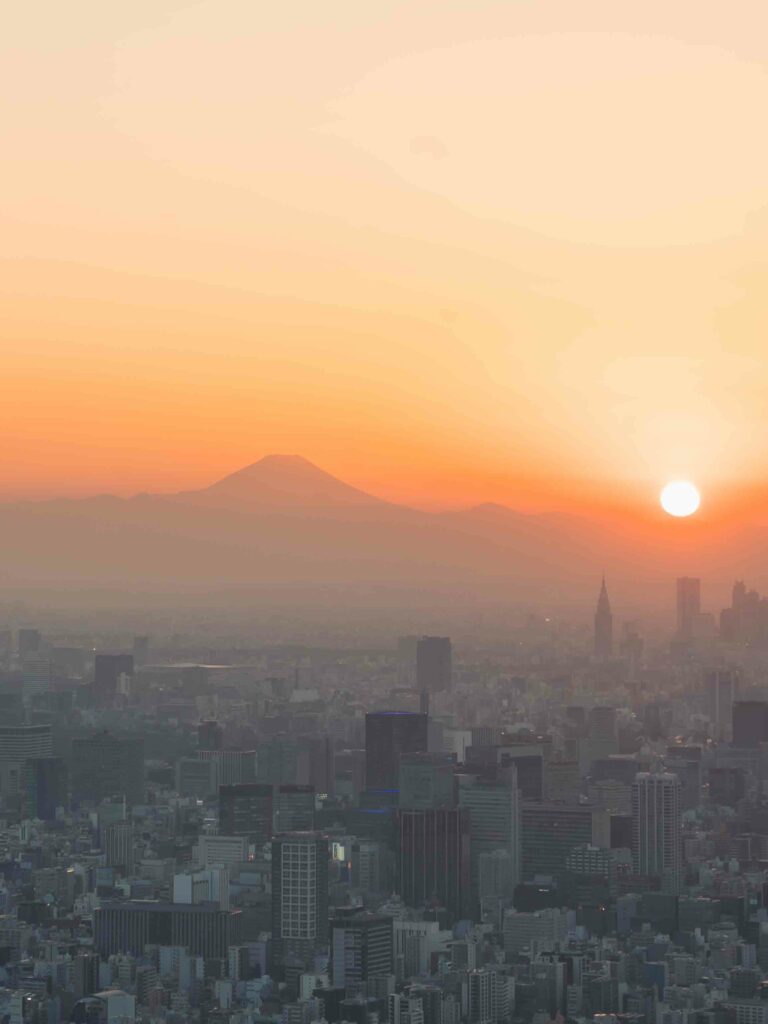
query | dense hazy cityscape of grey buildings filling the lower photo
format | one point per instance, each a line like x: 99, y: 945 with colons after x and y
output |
x: 412, y: 835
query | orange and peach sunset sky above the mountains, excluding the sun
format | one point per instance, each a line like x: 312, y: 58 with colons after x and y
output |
x: 452, y: 252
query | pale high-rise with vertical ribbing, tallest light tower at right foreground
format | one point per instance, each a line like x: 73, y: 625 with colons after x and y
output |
x: 657, y: 828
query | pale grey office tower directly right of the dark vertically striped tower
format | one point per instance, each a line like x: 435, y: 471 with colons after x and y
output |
x: 495, y: 820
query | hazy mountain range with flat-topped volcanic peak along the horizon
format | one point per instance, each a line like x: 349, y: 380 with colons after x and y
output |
x: 284, y: 525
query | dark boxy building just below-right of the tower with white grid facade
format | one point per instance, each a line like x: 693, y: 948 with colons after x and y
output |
x: 361, y: 949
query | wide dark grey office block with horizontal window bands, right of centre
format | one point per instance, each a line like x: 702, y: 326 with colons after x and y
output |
x: 549, y: 834
